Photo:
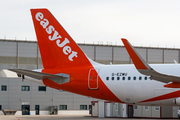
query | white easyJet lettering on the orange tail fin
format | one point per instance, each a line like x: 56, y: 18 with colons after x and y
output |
x: 54, y: 35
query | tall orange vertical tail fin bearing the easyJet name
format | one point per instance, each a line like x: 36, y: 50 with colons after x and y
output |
x: 56, y: 46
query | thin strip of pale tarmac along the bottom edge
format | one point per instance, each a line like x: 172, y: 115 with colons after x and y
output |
x: 58, y: 117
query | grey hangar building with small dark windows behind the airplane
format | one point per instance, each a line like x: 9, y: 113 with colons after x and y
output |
x: 31, y: 98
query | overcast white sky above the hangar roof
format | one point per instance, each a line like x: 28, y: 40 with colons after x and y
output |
x: 143, y: 22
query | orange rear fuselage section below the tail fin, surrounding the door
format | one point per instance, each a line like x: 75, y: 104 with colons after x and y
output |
x: 79, y: 84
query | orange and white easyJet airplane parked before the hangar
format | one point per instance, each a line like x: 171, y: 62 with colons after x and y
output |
x: 66, y: 67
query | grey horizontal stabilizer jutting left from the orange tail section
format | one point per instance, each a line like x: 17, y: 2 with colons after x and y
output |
x: 58, y: 78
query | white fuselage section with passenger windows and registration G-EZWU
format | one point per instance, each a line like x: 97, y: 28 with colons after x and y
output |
x: 131, y: 87
